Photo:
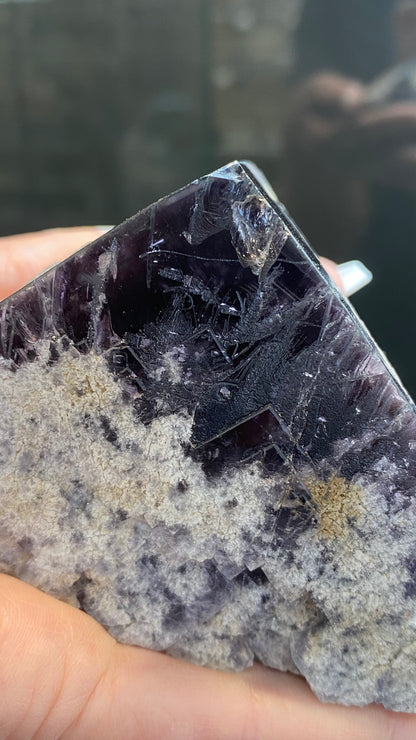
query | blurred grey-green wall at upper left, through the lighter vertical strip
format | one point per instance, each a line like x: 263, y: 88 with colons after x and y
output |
x: 109, y: 104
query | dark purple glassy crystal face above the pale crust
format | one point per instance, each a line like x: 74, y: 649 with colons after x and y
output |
x: 218, y: 274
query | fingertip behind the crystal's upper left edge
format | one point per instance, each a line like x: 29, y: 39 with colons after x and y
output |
x: 24, y: 256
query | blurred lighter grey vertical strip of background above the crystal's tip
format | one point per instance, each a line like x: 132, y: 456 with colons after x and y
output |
x: 253, y: 56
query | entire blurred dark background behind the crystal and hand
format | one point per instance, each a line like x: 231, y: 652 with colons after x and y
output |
x: 107, y: 105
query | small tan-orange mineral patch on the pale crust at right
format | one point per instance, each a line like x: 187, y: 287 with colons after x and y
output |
x: 338, y: 503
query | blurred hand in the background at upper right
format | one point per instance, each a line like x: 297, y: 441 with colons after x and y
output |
x: 332, y: 128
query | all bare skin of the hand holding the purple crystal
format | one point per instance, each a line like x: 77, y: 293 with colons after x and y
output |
x: 62, y: 676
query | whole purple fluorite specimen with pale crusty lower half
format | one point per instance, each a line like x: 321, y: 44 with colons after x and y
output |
x: 201, y: 446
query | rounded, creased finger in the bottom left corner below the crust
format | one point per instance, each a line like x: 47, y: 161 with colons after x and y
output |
x: 51, y: 659
